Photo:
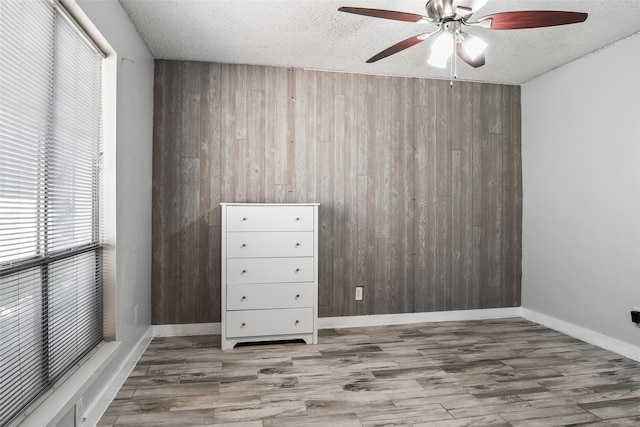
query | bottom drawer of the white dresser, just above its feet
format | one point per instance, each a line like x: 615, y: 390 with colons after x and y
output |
x: 269, y: 322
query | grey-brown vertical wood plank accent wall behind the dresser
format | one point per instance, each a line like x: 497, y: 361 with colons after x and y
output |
x: 419, y: 184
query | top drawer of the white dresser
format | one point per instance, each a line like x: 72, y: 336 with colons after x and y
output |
x: 269, y: 218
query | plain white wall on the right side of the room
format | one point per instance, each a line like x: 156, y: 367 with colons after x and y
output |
x: 581, y: 193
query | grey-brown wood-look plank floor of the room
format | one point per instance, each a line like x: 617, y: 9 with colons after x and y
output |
x: 508, y: 372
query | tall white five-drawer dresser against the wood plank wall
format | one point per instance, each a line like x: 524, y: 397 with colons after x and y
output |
x: 269, y: 272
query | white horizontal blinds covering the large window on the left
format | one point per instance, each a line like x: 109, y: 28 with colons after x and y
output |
x: 50, y: 255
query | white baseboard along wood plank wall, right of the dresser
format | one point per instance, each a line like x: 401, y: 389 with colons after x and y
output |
x: 403, y: 318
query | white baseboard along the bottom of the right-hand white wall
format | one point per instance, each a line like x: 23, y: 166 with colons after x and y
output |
x: 583, y: 334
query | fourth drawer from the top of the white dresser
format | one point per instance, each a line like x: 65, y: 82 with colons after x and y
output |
x: 269, y: 295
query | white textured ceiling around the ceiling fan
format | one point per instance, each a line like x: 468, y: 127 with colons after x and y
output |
x: 312, y: 34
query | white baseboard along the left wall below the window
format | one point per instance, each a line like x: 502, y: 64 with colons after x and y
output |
x: 106, y: 395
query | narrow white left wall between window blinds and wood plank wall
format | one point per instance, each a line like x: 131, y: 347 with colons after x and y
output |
x: 129, y: 197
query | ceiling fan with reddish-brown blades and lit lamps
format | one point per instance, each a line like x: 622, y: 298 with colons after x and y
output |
x: 451, y: 16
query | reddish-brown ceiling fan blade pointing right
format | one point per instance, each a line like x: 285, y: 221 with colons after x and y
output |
x: 530, y: 19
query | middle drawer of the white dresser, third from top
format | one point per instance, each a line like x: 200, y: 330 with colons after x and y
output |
x: 269, y: 270
